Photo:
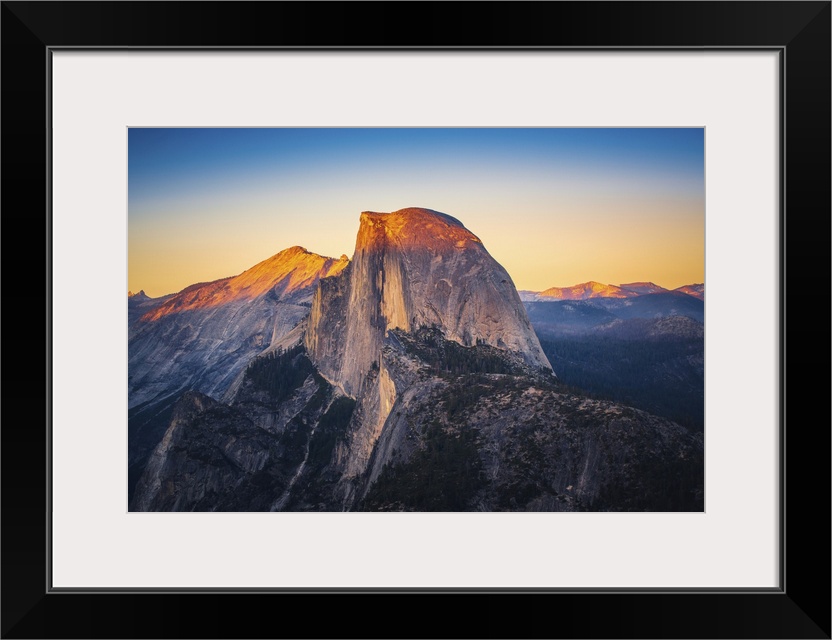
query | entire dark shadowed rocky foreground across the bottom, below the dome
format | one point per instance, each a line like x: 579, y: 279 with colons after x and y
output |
x: 467, y: 431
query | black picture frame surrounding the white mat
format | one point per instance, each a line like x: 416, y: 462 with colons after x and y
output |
x: 800, y: 31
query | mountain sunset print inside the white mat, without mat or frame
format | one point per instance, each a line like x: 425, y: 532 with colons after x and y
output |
x: 429, y: 368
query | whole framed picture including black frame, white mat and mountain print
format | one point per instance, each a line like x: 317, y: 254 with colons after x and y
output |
x: 112, y: 109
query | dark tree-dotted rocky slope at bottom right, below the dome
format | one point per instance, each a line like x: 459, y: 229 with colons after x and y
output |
x: 501, y: 442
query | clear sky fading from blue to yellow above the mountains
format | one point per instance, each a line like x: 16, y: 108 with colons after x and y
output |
x: 556, y: 207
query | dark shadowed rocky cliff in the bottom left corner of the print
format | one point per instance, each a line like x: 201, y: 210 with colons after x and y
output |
x: 269, y: 450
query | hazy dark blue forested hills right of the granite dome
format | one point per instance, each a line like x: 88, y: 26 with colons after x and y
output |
x: 646, y: 351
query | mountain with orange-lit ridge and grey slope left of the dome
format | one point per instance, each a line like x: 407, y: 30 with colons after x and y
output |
x: 203, y: 337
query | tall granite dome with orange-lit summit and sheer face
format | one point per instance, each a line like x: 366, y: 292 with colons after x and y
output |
x: 411, y: 268
